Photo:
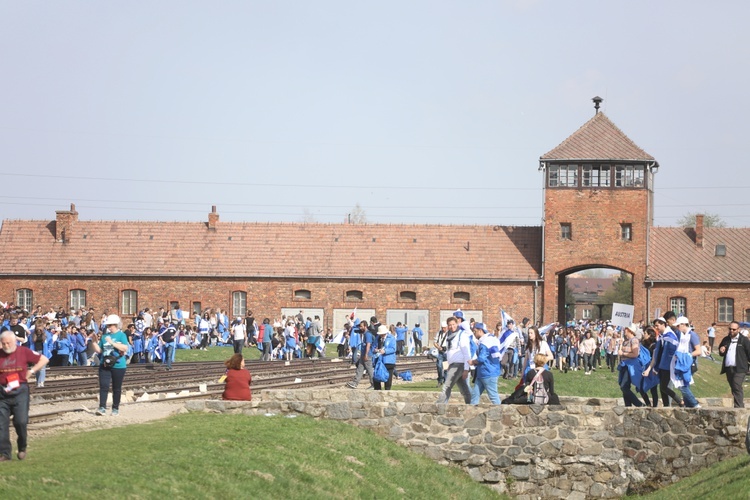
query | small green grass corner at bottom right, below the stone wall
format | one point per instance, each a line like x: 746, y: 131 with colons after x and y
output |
x: 724, y: 480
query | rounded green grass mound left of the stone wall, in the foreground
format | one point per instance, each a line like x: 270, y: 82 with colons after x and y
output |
x: 231, y: 456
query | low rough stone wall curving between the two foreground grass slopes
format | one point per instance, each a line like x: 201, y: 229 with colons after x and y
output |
x: 581, y: 449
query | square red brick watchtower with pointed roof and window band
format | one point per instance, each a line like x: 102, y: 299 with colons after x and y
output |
x: 598, y: 210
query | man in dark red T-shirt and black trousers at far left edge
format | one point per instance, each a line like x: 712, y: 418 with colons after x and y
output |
x: 14, y: 391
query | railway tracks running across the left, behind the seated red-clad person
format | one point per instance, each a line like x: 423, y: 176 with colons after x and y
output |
x: 80, y: 384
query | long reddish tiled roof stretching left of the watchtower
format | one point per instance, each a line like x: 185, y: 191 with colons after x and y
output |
x: 272, y: 250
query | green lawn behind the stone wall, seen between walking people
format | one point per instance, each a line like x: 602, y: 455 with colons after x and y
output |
x: 603, y: 384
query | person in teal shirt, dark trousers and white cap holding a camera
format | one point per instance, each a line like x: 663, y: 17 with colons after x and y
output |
x: 111, y: 348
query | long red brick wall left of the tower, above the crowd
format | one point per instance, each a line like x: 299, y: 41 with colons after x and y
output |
x: 266, y: 297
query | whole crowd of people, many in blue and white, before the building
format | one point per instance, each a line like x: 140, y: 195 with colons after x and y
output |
x: 651, y: 359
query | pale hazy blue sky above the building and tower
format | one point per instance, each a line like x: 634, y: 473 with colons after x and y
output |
x: 418, y: 112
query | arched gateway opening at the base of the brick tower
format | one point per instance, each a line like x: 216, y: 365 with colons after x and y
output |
x: 586, y: 293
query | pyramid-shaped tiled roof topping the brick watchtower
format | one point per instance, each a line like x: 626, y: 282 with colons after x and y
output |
x: 598, y: 139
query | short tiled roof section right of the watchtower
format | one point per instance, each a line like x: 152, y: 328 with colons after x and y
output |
x: 675, y: 257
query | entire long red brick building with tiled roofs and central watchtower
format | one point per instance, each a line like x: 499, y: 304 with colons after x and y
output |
x: 598, y: 212
